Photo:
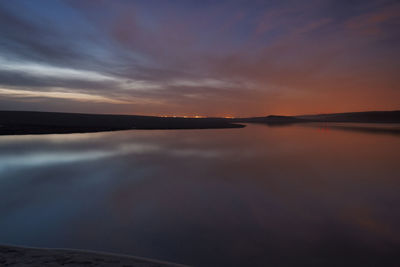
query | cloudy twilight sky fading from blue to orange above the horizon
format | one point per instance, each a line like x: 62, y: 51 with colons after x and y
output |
x: 207, y: 58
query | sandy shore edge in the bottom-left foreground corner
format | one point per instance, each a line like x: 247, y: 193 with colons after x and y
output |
x: 21, y: 256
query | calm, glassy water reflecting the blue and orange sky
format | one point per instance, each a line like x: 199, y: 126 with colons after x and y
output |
x: 278, y: 196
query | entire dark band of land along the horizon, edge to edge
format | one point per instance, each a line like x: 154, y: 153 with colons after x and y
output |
x: 27, y: 122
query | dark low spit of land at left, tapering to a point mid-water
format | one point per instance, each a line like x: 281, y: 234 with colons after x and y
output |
x: 26, y: 122
